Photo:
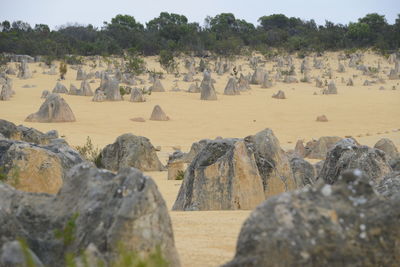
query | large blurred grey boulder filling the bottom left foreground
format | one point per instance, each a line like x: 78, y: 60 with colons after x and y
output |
x: 95, y: 210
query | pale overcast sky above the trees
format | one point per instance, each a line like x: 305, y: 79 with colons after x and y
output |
x: 59, y: 12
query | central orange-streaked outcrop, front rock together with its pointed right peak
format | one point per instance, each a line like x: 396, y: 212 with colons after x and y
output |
x: 235, y: 174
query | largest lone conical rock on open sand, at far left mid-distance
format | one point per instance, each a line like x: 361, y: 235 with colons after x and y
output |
x: 54, y: 109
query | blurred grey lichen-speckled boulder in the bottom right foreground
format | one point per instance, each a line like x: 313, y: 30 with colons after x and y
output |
x: 332, y: 225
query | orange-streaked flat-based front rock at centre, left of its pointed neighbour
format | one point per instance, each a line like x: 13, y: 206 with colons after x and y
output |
x: 223, y: 176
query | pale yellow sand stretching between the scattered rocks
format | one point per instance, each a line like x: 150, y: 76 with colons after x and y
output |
x: 209, y: 238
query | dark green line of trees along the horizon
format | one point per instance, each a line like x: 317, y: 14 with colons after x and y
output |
x: 223, y: 35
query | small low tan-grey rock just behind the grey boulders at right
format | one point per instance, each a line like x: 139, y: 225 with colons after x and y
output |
x: 318, y: 149
